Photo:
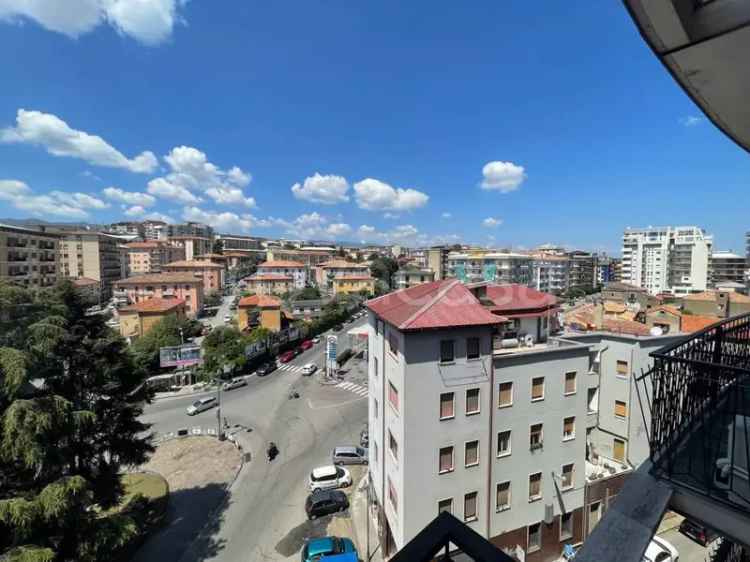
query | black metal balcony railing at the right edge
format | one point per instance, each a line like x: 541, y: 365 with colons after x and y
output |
x: 699, y: 403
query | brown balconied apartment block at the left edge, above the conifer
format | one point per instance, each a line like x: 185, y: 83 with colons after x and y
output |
x: 29, y: 257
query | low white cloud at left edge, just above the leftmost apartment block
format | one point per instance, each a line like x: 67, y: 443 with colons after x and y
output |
x: 56, y: 203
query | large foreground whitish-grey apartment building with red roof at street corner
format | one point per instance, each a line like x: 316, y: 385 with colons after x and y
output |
x: 527, y: 443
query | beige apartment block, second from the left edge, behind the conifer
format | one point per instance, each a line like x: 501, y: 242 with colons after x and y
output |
x: 95, y: 255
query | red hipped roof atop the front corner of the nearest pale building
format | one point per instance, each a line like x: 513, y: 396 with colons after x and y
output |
x: 439, y: 304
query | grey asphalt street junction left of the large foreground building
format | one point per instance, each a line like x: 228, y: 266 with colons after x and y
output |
x: 265, y: 518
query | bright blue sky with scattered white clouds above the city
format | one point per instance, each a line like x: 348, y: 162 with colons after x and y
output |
x: 501, y: 123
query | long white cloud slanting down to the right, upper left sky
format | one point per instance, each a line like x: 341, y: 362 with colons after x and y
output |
x: 54, y: 134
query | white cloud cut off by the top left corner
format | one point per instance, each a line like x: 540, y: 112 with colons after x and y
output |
x: 148, y: 21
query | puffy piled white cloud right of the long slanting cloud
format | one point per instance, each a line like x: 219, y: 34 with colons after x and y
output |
x: 191, y: 171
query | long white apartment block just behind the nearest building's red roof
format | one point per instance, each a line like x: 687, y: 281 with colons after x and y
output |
x: 499, y: 267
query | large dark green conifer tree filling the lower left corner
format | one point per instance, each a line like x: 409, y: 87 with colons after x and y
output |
x: 70, y: 398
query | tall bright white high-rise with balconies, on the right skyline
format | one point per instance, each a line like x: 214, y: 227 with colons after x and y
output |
x: 667, y: 259
